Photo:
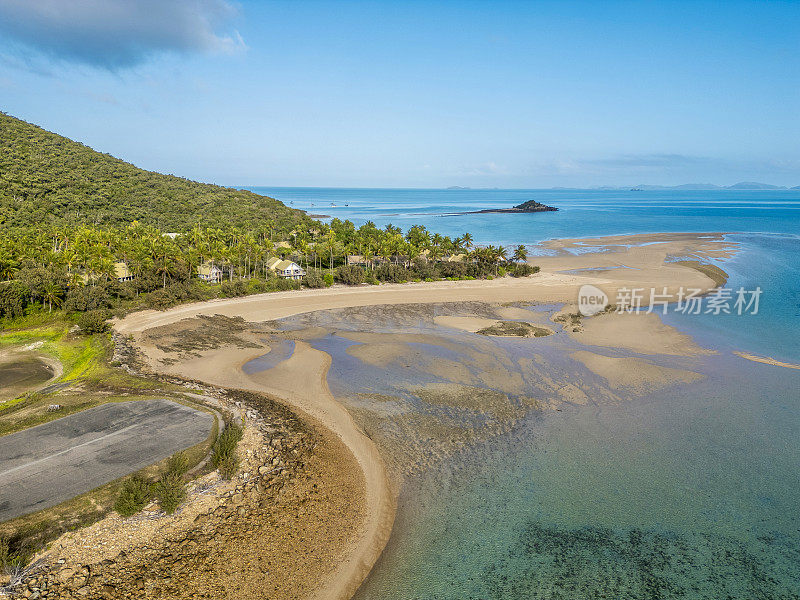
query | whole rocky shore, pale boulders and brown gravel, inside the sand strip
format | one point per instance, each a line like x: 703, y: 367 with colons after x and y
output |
x: 228, y: 535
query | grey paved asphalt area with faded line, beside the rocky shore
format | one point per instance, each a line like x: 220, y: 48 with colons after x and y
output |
x: 48, y: 464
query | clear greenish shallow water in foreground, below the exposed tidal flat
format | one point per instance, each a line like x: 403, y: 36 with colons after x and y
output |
x: 689, y: 494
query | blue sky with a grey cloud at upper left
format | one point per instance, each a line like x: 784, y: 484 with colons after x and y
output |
x: 416, y: 94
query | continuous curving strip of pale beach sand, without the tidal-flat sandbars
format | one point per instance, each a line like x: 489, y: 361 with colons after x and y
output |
x: 311, y: 396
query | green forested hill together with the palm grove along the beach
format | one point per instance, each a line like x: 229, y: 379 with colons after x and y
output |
x: 90, y: 235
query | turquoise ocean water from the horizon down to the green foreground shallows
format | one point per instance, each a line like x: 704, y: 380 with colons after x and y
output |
x: 692, y: 492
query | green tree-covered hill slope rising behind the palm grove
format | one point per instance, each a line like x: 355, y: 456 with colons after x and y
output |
x: 49, y: 179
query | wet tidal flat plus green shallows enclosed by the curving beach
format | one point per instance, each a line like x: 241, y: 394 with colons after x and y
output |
x: 563, y: 467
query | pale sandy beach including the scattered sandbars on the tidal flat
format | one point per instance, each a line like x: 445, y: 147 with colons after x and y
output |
x: 300, y: 381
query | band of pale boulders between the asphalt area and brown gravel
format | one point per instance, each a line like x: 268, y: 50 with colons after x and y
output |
x: 172, y: 565
